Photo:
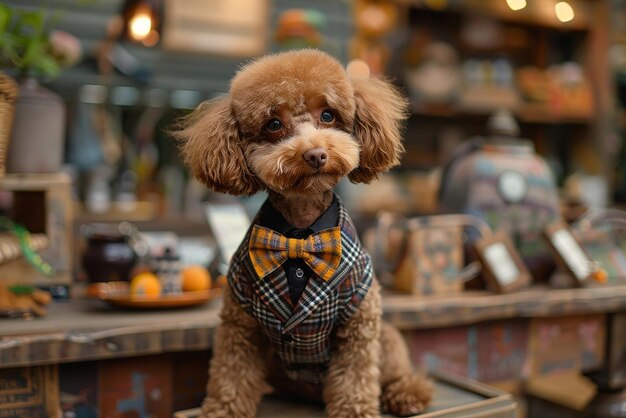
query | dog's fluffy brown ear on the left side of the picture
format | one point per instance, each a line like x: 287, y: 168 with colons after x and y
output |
x: 210, y: 146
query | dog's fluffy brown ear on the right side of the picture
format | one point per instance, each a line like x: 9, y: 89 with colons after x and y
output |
x: 380, y: 108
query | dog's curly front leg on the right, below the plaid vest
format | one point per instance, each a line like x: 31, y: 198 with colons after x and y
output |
x: 352, y: 388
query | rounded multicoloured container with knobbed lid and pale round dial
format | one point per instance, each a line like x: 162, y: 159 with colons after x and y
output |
x: 500, y: 179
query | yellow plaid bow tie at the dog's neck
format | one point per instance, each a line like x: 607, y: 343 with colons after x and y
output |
x: 321, y: 251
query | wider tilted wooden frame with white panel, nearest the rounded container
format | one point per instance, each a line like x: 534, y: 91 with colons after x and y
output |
x: 503, y: 268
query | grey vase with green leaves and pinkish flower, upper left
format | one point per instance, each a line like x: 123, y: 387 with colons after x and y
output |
x: 33, y: 53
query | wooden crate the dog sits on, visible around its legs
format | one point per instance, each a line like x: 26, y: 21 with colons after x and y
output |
x: 455, y: 397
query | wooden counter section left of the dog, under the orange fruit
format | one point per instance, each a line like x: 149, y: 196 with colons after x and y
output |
x: 81, y: 330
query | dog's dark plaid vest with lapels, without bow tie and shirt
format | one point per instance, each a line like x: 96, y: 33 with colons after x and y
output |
x: 300, y: 335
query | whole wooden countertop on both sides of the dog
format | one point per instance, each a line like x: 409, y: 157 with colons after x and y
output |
x: 81, y: 330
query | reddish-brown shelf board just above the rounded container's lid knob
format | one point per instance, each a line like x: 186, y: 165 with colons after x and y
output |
x: 526, y: 114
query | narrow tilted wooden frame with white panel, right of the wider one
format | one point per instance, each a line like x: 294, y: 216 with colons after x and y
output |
x: 569, y: 253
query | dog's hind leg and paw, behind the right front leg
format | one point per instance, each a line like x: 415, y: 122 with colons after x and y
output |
x: 404, y: 393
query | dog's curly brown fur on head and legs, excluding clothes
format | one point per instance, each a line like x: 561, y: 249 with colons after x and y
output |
x: 231, y: 147
